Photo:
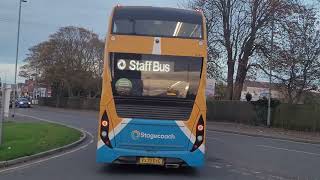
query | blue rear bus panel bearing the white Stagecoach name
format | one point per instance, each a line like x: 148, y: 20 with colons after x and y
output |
x: 158, y: 135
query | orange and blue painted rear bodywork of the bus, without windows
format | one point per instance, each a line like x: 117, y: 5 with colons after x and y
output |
x: 122, y: 131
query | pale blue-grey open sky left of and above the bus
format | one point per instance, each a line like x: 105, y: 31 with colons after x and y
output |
x: 40, y: 18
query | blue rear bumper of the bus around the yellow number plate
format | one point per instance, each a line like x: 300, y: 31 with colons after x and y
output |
x: 127, y: 156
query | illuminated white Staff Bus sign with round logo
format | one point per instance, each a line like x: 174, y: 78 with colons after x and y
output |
x: 144, y: 65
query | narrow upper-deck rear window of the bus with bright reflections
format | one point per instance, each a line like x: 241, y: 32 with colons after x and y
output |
x: 158, y: 28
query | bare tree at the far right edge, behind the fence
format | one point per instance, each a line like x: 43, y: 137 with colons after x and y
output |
x: 296, y: 58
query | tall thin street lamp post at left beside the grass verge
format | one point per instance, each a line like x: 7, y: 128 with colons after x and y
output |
x: 17, y: 56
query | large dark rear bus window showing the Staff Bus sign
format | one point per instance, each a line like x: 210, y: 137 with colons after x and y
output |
x: 141, y: 75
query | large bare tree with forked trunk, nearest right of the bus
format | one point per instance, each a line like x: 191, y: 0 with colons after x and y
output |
x: 235, y: 30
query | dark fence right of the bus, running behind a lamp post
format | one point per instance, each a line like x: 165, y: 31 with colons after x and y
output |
x: 296, y: 117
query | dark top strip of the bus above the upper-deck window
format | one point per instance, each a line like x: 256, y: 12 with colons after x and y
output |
x: 158, y: 13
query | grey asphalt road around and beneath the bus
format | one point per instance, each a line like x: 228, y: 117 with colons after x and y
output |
x: 229, y: 157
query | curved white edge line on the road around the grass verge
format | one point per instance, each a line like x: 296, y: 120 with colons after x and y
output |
x: 26, y: 165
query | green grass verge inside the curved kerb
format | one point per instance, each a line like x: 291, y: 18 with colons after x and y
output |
x: 25, y: 139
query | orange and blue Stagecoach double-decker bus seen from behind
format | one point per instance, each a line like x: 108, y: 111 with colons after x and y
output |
x: 153, y: 105
